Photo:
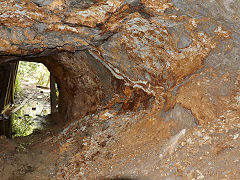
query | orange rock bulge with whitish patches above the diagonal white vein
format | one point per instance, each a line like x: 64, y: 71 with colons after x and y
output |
x: 152, y: 54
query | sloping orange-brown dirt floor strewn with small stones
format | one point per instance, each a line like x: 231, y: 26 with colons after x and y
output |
x: 133, y: 145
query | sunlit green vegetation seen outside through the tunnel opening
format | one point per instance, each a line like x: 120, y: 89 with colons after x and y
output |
x: 28, y: 73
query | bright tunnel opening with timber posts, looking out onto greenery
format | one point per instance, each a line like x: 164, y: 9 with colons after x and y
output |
x: 29, y: 101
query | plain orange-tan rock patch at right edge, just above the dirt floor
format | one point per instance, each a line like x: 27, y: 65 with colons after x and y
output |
x: 208, y: 95
